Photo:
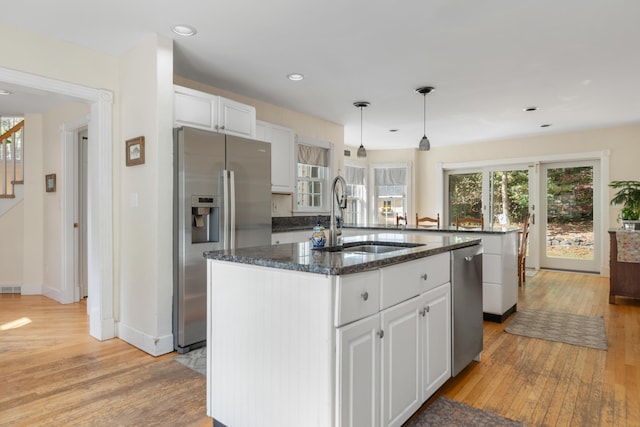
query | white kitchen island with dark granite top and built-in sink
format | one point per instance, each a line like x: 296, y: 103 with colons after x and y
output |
x: 298, y: 336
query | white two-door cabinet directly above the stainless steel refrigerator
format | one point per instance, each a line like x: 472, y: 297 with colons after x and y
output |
x: 210, y: 112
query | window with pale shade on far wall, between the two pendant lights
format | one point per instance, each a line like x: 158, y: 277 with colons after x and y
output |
x: 391, y: 187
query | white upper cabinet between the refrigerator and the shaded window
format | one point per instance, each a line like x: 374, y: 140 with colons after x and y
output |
x: 283, y: 161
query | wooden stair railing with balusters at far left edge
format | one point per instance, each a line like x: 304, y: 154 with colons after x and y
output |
x: 11, y: 142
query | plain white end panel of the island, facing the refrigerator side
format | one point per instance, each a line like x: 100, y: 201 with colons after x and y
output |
x: 254, y: 345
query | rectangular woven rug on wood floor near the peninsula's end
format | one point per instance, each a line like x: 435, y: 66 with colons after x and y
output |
x: 585, y: 331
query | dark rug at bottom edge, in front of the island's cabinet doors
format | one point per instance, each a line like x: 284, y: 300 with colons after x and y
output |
x: 447, y: 412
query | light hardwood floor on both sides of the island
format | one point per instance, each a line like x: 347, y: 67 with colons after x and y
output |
x: 53, y: 373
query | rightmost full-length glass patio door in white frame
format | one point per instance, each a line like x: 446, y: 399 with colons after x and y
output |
x: 569, y: 225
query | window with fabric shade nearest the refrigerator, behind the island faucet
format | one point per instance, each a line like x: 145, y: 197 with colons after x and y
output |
x: 312, y: 177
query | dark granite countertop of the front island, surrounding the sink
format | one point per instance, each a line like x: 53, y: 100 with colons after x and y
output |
x: 302, y: 257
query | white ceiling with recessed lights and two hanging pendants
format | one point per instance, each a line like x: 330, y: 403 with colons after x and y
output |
x: 577, y: 60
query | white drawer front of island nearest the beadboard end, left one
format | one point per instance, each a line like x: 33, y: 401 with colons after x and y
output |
x: 357, y: 296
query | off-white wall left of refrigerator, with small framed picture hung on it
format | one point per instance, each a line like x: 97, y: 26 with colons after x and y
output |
x: 145, y: 222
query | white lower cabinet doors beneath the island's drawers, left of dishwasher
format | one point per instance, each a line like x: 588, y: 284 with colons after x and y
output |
x: 390, y: 363
